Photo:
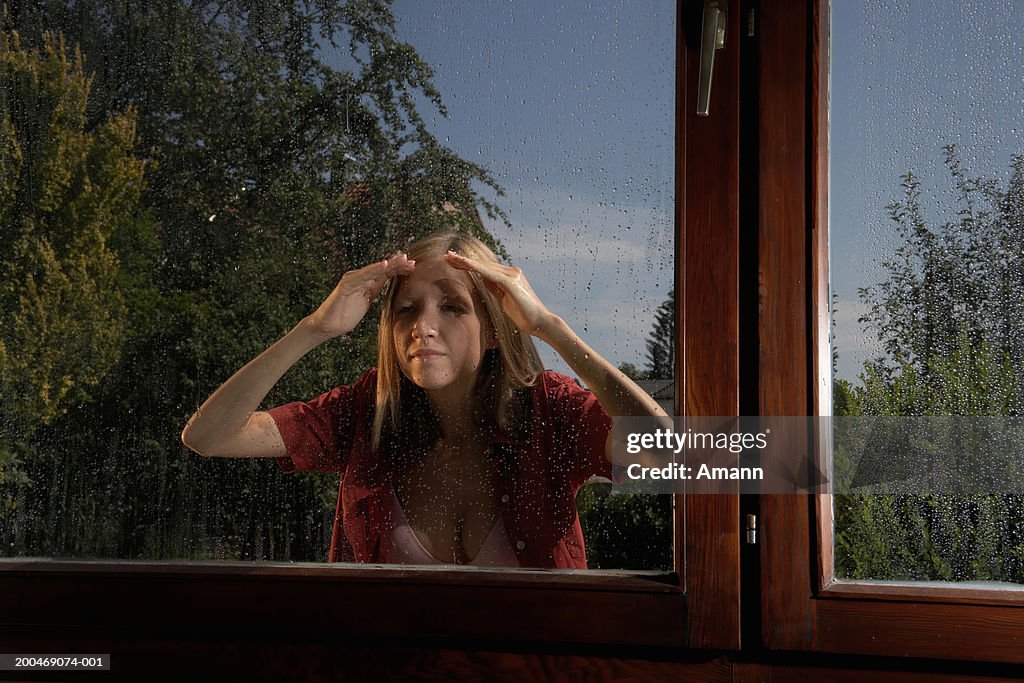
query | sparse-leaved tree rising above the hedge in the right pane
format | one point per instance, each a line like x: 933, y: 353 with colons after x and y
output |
x: 957, y: 282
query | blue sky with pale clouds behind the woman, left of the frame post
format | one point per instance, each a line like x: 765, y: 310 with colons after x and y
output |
x: 571, y: 107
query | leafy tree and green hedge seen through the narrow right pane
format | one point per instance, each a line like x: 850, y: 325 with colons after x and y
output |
x: 949, y: 315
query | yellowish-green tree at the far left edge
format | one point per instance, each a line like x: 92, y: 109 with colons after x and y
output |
x: 66, y: 195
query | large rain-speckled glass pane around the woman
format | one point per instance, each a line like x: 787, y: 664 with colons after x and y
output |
x: 182, y: 196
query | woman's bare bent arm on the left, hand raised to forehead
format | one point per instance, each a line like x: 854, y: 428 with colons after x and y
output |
x: 228, y: 424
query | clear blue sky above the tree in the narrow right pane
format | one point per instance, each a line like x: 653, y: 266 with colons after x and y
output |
x: 907, y: 80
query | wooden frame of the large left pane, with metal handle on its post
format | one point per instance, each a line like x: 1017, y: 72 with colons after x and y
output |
x: 41, y: 599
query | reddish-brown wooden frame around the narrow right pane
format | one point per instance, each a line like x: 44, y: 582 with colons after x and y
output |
x: 803, y: 606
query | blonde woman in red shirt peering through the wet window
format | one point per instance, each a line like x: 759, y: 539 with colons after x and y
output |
x: 458, y: 448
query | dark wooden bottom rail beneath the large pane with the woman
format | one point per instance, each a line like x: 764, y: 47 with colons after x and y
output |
x: 336, y: 602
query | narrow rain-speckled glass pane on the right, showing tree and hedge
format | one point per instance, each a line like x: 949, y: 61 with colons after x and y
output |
x: 927, y: 181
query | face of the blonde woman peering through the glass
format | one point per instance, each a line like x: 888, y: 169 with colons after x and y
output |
x: 440, y: 335
